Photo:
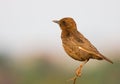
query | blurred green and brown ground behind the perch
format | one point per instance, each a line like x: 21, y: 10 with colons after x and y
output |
x: 42, y: 70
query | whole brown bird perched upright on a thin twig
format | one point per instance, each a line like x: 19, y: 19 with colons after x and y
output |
x: 76, y: 45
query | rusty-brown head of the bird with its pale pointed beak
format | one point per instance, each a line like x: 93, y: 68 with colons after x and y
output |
x: 66, y: 23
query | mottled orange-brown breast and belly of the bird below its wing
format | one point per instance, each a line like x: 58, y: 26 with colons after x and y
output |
x: 73, y: 50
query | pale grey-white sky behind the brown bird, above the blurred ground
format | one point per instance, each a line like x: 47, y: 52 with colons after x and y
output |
x: 26, y: 25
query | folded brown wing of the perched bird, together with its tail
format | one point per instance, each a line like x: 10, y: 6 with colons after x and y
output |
x: 79, y: 40
